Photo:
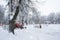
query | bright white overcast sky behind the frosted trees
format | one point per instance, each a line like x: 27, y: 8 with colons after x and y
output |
x: 46, y: 7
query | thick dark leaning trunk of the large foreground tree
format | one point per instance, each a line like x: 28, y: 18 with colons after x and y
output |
x: 11, y: 22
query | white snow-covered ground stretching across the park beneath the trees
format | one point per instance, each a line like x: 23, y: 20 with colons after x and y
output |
x: 47, y: 32
